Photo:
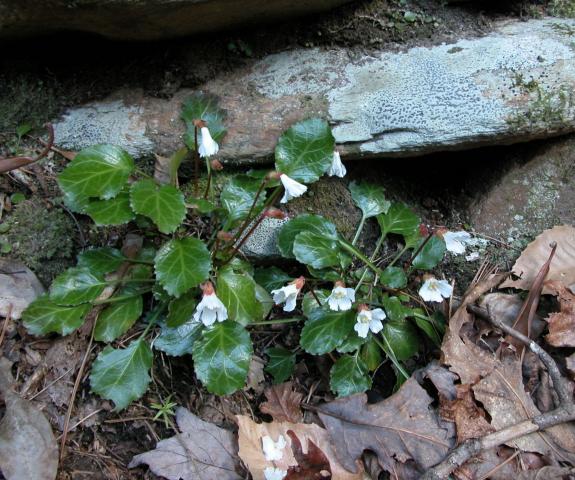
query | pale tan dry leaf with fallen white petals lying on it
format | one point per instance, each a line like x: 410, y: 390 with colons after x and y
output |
x: 251, y: 451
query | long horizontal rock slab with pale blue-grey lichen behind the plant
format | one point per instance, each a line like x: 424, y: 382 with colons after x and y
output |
x: 511, y: 86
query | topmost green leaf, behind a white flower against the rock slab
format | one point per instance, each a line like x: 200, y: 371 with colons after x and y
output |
x: 200, y: 106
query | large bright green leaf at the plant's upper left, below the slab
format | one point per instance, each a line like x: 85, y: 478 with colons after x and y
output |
x: 98, y: 171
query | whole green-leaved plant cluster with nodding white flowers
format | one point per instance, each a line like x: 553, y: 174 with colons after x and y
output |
x: 202, y: 298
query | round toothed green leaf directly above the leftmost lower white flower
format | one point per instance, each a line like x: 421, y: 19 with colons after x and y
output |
x: 182, y: 264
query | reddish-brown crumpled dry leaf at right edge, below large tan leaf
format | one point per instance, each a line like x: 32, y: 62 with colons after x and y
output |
x: 562, y: 324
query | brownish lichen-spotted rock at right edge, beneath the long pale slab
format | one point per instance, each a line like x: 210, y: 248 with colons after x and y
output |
x: 535, y: 194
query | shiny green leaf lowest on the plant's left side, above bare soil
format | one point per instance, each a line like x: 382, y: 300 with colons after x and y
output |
x: 122, y: 375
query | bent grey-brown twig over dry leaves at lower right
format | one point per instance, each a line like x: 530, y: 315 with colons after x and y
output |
x: 565, y: 412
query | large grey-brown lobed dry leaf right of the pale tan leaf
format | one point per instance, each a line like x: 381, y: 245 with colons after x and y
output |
x: 400, y: 428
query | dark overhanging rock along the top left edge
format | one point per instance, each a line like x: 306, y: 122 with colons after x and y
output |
x: 146, y: 19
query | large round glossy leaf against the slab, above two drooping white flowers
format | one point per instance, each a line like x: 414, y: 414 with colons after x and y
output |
x: 305, y: 151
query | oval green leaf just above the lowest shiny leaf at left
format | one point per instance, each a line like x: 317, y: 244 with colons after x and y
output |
x: 117, y: 318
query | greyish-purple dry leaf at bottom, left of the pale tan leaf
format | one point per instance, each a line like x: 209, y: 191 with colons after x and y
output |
x: 201, y: 452
